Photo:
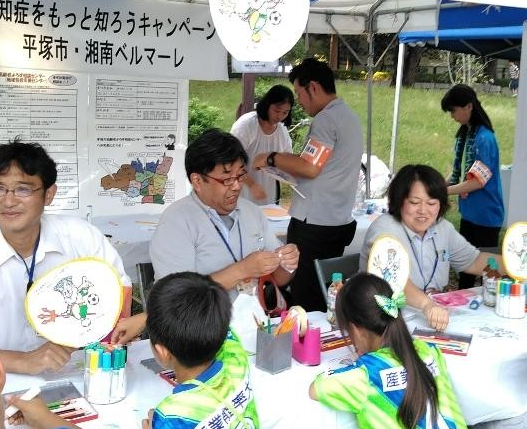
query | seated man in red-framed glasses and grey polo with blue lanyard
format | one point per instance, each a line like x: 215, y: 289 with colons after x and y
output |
x: 212, y: 230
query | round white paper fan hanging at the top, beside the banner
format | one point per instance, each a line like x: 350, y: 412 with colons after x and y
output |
x: 259, y: 30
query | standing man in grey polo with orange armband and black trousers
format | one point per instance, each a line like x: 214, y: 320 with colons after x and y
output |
x: 327, y: 172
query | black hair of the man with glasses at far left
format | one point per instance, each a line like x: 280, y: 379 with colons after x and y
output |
x: 31, y: 158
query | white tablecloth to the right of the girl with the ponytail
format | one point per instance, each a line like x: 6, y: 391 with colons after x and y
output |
x: 491, y: 381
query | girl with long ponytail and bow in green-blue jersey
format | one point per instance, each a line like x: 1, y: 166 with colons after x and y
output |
x: 396, y: 382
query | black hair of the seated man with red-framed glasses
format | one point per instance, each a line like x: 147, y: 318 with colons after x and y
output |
x: 211, y: 148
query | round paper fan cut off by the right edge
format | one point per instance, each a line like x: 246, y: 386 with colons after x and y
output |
x: 514, y: 251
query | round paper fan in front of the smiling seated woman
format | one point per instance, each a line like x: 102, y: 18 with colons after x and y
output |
x: 389, y: 260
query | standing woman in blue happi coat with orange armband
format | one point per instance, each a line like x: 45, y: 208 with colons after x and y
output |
x: 475, y: 173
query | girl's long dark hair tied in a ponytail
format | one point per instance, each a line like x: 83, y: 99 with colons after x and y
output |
x: 356, y: 304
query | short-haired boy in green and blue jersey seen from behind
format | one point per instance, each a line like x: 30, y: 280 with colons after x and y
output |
x: 188, y: 323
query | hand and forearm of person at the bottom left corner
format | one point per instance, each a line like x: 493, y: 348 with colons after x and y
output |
x: 34, y: 413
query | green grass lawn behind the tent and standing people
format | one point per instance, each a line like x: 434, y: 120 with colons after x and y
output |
x: 426, y: 133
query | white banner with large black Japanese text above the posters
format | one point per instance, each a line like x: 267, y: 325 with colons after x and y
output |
x: 126, y: 37
